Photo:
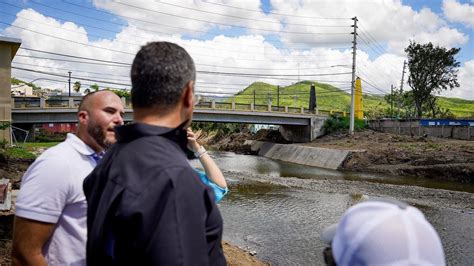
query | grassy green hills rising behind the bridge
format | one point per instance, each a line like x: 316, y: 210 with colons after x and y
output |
x: 333, y: 98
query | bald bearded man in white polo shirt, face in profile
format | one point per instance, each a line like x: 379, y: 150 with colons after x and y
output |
x: 50, y: 225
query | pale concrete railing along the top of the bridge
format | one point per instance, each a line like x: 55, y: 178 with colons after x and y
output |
x: 35, y: 103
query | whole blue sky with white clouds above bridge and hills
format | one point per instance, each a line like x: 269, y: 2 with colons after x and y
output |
x: 269, y: 38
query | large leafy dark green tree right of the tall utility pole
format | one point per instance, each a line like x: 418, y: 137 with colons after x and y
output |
x: 432, y: 70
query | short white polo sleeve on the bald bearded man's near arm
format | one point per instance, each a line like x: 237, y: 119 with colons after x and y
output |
x: 44, y: 190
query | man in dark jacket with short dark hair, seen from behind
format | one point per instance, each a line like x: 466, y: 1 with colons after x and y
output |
x: 146, y: 205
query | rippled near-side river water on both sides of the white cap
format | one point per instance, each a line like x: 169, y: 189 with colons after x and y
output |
x: 283, y: 224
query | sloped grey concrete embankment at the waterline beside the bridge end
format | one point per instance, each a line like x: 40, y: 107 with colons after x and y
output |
x: 293, y: 153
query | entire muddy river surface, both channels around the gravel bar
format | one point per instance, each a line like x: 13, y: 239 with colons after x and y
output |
x: 282, y: 224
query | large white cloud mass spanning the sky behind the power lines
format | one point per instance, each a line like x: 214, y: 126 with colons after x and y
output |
x: 390, y: 23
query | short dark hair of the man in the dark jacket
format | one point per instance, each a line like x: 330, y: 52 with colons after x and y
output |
x: 160, y: 72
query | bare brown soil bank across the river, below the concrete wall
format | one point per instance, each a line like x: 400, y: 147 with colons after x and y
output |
x: 430, y: 157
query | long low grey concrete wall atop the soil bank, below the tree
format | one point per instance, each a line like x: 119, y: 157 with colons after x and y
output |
x: 414, y: 128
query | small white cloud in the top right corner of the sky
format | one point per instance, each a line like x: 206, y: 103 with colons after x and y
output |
x: 457, y: 12
